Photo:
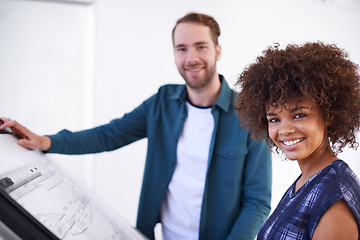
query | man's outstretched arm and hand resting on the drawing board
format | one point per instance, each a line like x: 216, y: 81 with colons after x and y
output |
x: 119, y: 132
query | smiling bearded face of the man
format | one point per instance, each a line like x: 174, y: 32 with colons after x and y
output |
x: 195, y: 54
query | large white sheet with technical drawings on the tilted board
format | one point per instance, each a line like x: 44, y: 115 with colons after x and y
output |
x: 60, y: 203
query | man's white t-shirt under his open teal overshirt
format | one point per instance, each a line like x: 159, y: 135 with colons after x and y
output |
x: 181, y: 210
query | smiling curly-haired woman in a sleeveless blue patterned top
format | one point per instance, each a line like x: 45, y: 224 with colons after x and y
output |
x: 305, y: 101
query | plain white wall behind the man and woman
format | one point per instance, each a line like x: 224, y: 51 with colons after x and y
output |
x: 66, y: 65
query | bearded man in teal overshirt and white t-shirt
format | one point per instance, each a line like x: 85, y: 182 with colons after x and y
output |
x: 204, y: 177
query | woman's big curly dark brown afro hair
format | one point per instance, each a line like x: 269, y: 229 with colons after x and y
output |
x: 315, y: 71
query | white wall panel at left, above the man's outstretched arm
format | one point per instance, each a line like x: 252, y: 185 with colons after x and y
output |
x: 44, y: 65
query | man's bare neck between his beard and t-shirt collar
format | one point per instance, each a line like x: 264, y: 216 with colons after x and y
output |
x: 207, y: 95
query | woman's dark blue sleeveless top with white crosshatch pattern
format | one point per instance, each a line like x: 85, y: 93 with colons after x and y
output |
x: 297, y: 214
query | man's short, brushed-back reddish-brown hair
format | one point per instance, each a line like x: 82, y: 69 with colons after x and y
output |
x: 202, y: 19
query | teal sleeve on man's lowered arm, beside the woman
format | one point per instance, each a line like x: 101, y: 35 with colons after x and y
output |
x: 256, y: 192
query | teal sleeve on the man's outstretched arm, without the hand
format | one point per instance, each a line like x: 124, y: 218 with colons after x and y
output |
x: 117, y: 133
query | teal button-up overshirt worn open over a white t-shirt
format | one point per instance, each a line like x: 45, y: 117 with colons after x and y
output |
x: 237, y: 191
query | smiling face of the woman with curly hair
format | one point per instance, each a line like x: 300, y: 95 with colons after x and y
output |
x: 298, y: 130
